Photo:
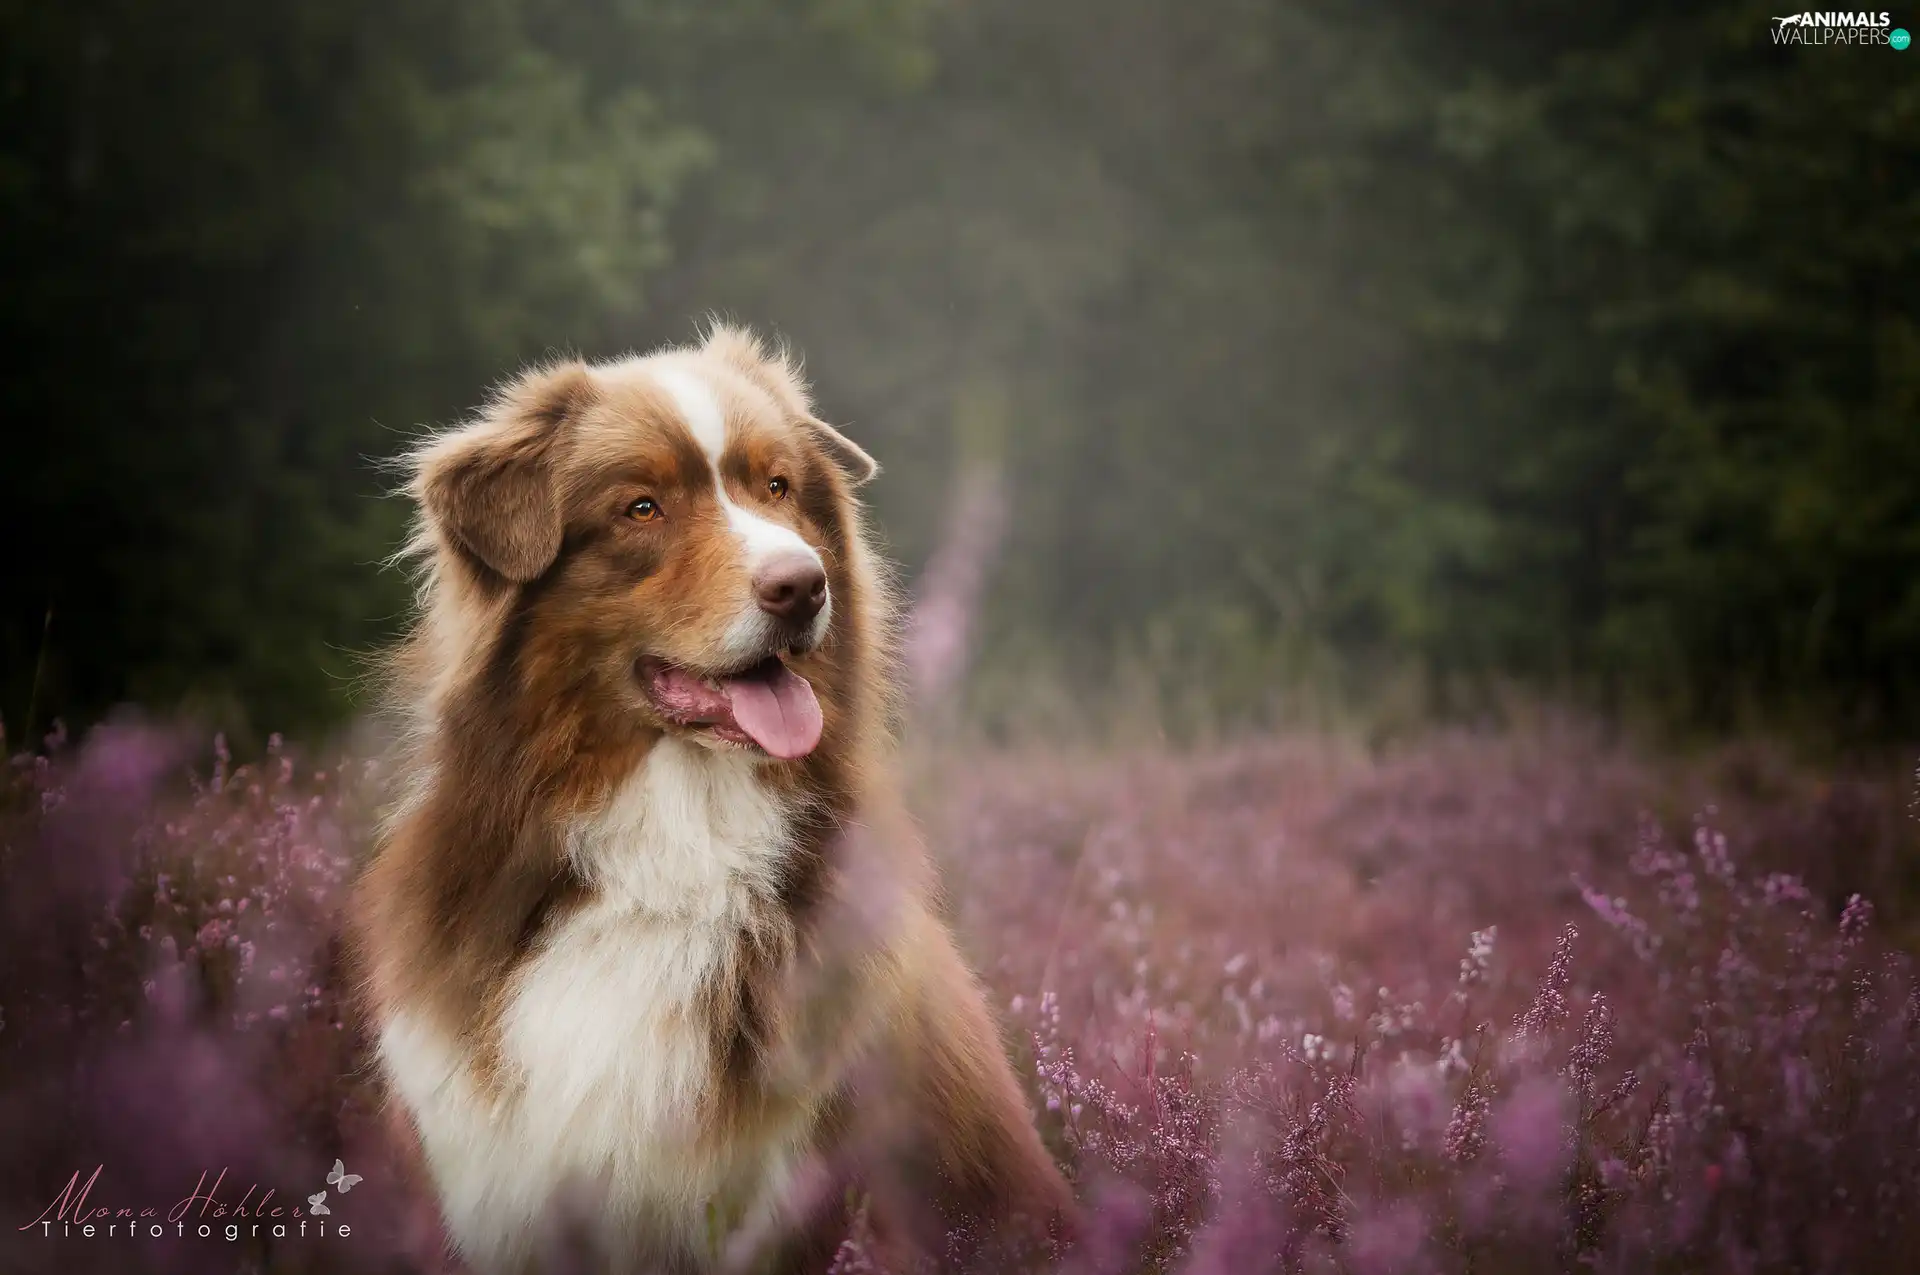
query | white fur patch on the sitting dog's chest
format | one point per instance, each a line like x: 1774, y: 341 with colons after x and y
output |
x: 606, y: 1057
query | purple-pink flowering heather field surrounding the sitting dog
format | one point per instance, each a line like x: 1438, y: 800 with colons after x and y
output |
x: 1512, y: 1001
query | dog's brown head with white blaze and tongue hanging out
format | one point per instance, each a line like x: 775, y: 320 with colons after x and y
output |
x: 667, y: 537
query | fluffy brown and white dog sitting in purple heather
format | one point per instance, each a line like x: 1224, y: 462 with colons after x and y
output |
x: 648, y: 944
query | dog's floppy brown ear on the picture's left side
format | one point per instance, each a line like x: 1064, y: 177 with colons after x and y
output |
x: 491, y: 487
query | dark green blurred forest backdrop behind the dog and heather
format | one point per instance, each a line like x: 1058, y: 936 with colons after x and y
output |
x: 1385, y: 362
